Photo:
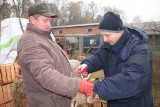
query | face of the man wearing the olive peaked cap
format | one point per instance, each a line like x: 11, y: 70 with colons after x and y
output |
x: 41, y: 22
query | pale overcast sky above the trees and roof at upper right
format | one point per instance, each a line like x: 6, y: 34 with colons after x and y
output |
x: 147, y: 9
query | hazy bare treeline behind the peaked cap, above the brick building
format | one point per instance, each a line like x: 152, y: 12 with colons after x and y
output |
x: 68, y: 12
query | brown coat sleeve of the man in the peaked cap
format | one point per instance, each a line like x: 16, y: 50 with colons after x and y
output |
x: 42, y: 68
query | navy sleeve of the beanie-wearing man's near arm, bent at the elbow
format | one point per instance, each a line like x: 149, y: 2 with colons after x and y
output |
x: 134, y: 78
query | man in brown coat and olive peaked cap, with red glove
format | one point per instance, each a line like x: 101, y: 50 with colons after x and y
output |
x: 45, y: 68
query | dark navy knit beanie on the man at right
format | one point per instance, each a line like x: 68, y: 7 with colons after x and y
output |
x: 111, y: 22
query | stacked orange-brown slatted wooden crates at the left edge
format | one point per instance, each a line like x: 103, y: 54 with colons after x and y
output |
x: 7, y: 77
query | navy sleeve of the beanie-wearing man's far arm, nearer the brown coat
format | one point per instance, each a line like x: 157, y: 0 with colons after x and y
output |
x: 95, y: 61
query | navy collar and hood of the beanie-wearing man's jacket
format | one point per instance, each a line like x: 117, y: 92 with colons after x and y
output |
x: 125, y: 44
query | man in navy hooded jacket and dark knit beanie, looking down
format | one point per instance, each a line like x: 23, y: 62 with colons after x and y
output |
x: 127, y: 63
